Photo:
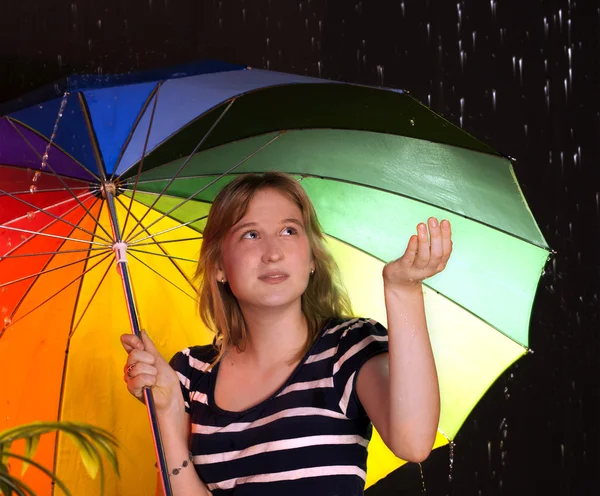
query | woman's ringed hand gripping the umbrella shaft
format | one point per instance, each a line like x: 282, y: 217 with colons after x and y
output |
x: 146, y: 368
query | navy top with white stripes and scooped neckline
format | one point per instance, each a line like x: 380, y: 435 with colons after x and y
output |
x: 309, y: 438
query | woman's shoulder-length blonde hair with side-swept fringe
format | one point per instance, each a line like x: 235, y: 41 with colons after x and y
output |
x: 324, y: 297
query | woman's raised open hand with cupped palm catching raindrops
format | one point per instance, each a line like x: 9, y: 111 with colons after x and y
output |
x: 426, y: 255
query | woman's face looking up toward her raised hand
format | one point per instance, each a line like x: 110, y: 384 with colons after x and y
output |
x: 266, y: 256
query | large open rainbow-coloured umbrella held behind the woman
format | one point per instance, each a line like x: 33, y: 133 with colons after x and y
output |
x: 125, y: 168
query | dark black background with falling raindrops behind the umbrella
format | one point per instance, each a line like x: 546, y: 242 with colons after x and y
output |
x: 528, y: 83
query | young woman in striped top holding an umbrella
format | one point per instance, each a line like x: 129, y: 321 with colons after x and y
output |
x: 282, y: 401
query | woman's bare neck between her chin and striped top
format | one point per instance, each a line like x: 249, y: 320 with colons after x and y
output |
x: 275, y: 334
